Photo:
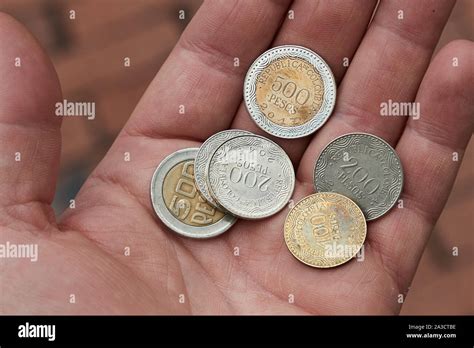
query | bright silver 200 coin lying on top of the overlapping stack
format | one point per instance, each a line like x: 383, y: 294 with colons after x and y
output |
x: 251, y: 176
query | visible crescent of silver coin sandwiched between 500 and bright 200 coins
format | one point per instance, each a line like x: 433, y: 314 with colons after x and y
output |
x: 201, y: 185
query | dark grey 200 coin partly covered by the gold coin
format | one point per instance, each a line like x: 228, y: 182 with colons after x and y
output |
x: 364, y: 168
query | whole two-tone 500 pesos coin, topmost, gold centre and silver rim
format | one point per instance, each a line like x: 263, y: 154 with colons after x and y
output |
x: 290, y: 91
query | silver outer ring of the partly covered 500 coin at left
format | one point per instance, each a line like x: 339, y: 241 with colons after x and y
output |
x: 163, y: 212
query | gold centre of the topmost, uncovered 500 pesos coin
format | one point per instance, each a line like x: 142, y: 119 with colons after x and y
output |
x: 289, y: 91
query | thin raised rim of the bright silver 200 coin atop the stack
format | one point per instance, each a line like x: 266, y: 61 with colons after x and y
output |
x: 238, y: 213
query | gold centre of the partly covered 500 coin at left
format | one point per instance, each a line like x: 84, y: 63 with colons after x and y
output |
x: 183, y: 199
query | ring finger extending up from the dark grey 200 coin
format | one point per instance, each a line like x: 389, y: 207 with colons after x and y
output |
x: 389, y: 65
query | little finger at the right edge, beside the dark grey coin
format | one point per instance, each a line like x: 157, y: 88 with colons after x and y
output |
x: 426, y: 149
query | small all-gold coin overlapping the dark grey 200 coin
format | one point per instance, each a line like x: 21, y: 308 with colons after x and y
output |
x: 325, y: 230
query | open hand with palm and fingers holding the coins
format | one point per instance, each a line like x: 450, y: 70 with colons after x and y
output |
x: 82, y: 253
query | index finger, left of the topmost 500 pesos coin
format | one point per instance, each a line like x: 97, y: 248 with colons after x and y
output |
x: 198, y: 89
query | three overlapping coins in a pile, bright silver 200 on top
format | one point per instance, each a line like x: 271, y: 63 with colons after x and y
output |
x: 201, y: 192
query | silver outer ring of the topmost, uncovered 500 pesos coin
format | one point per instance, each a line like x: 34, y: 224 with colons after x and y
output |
x: 316, y: 121
